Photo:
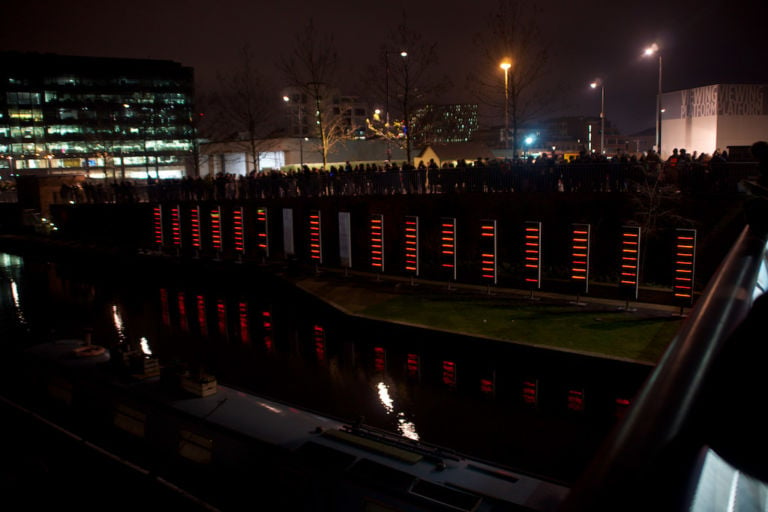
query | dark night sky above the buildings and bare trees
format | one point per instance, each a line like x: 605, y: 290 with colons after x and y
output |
x: 703, y: 42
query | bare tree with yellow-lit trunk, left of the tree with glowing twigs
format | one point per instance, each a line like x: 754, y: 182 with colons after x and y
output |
x: 310, y: 68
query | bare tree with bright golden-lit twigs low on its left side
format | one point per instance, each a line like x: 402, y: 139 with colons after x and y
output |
x: 409, y: 82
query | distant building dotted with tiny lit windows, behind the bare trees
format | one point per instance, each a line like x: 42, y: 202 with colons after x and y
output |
x: 443, y: 124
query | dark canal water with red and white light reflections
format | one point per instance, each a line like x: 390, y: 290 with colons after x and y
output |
x: 537, y: 411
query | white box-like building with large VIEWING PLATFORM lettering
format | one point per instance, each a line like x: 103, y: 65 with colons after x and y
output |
x: 714, y: 117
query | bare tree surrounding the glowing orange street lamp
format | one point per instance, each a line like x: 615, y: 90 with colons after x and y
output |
x: 513, y: 35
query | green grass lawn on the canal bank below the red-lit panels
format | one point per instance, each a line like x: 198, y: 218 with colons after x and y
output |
x: 637, y: 335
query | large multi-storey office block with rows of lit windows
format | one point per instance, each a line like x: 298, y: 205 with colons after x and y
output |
x: 104, y: 117
